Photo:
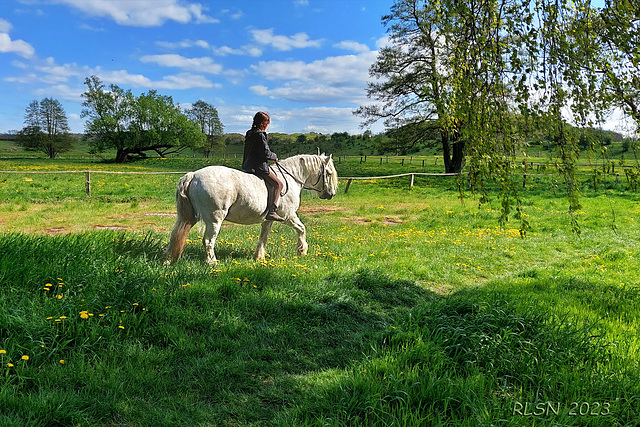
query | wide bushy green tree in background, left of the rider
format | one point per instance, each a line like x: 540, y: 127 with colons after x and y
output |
x: 132, y: 126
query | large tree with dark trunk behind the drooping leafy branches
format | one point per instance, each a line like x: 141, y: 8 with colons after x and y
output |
x: 445, y: 64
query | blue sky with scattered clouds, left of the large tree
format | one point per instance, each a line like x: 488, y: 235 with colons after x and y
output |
x: 304, y: 61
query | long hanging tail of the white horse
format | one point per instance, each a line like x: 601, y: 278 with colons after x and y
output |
x: 187, y: 218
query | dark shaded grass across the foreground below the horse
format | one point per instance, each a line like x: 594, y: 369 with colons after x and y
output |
x: 256, y: 345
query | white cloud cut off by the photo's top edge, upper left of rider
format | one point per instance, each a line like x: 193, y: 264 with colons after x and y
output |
x: 143, y: 13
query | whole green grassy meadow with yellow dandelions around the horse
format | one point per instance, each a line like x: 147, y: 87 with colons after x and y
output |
x: 412, y: 307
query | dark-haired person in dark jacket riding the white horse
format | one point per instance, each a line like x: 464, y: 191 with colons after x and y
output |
x: 256, y: 155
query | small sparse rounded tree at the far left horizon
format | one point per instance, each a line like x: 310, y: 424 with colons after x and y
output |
x: 46, y: 128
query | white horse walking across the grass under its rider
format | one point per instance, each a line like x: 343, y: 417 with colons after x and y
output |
x: 216, y: 193
